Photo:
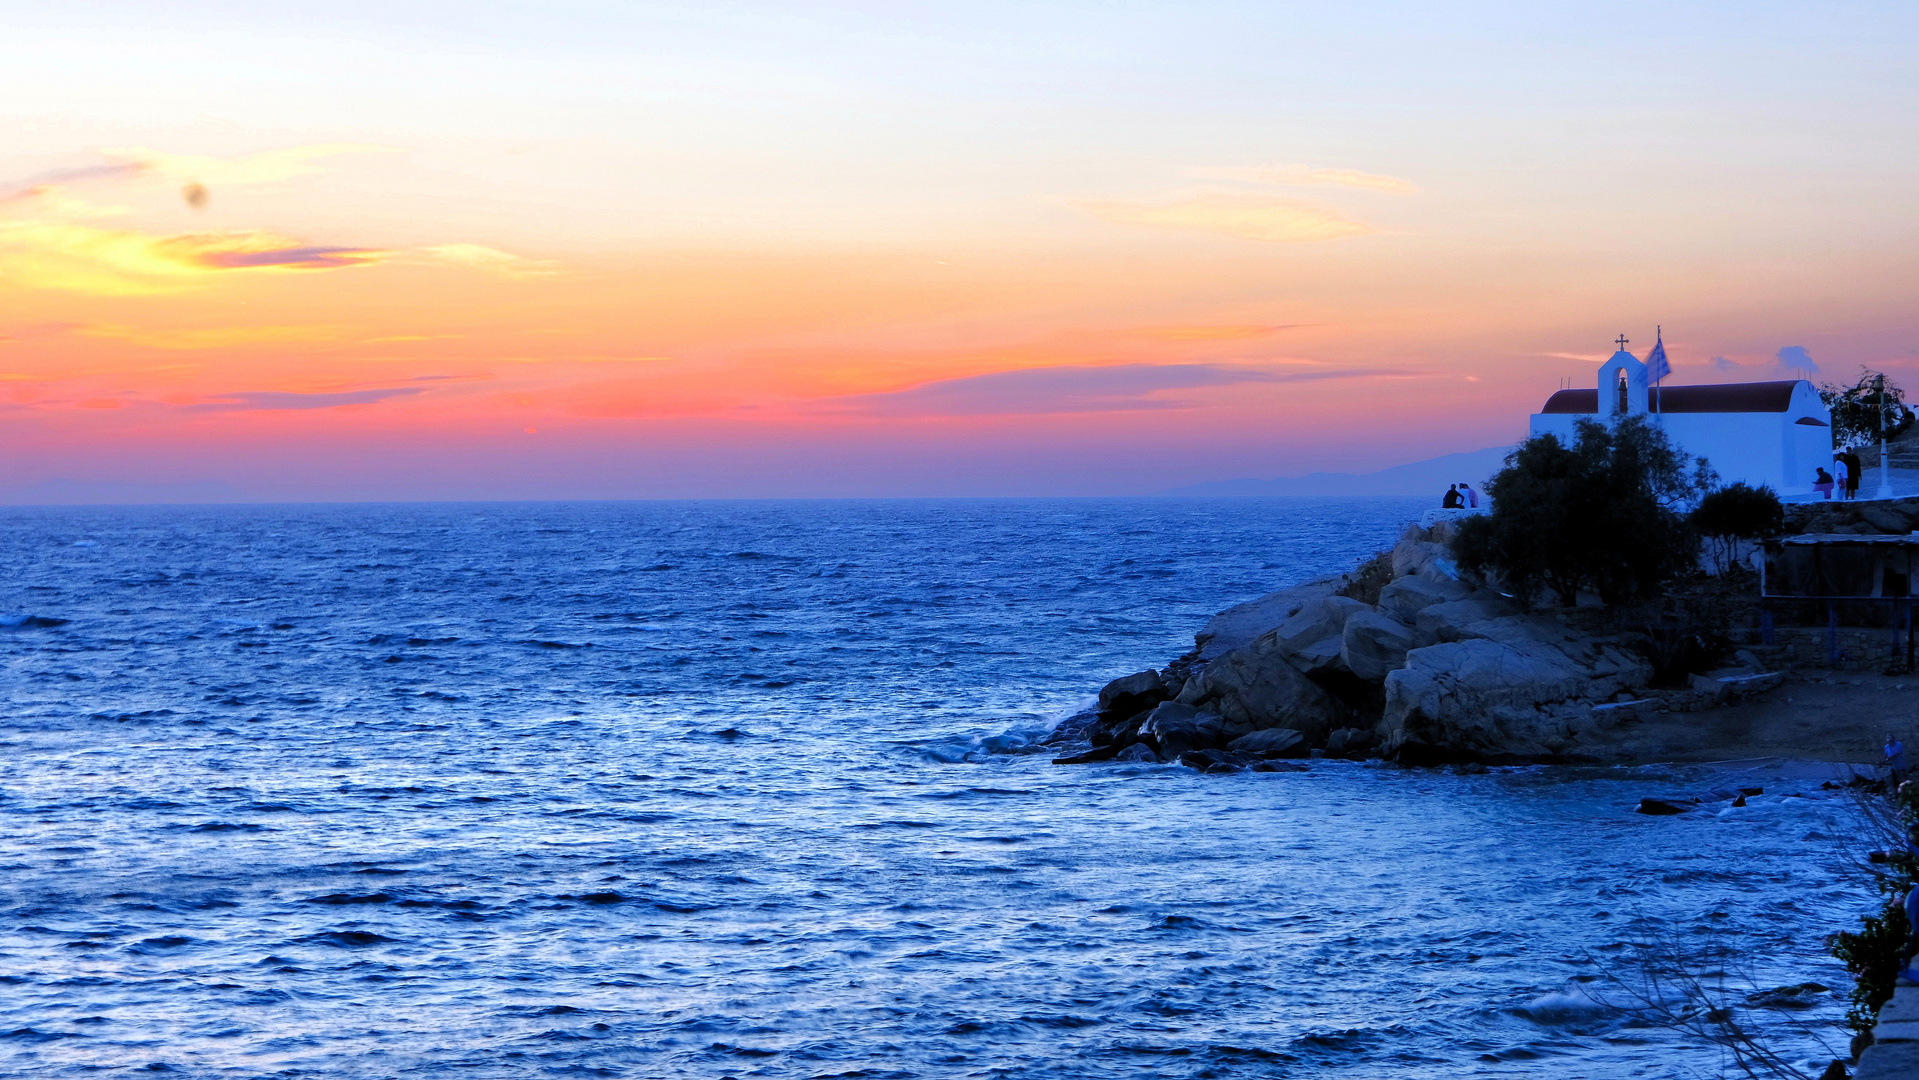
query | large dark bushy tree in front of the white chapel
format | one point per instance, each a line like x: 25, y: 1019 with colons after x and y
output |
x: 1603, y: 515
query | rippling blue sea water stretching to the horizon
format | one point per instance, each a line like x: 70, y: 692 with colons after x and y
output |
x: 753, y: 789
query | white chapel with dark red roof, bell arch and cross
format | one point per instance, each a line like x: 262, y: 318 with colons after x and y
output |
x: 1761, y: 433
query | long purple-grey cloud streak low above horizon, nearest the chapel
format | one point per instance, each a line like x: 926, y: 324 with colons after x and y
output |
x: 1106, y: 388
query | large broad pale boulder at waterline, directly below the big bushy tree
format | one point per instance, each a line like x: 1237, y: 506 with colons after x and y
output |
x: 1521, y: 688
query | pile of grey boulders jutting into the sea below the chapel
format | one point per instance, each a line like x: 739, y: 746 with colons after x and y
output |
x: 1396, y: 661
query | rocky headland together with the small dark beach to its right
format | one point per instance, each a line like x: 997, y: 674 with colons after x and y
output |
x: 1408, y: 663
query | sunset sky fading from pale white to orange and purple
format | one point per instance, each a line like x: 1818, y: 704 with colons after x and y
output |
x: 625, y: 250
